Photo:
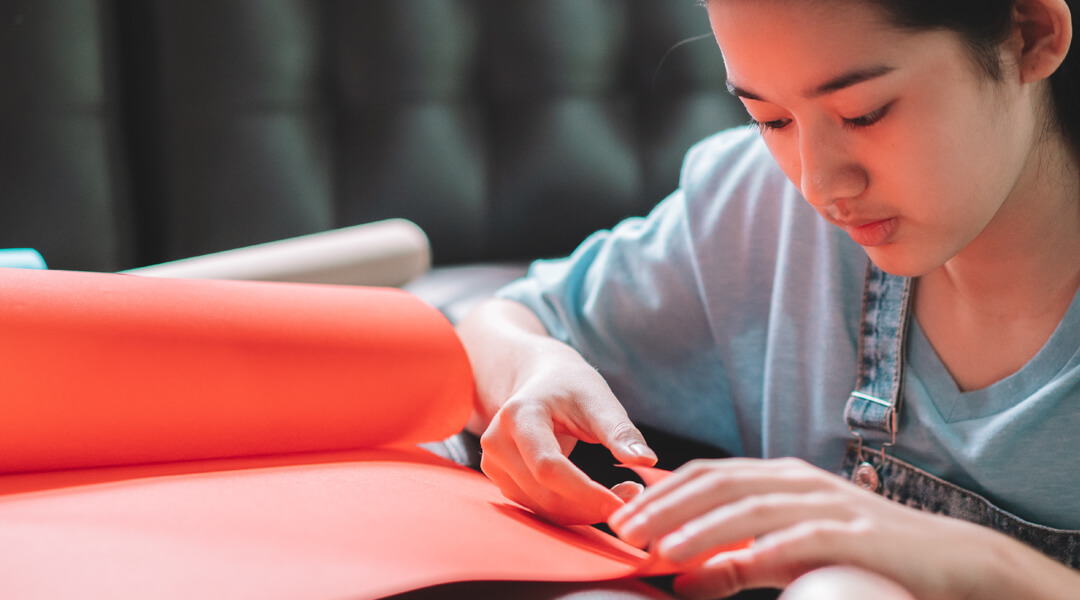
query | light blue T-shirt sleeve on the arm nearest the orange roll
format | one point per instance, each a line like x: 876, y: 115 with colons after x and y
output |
x: 630, y: 302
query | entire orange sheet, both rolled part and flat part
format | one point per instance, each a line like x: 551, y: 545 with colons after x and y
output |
x: 177, y: 439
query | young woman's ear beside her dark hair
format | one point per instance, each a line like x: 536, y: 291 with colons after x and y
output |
x: 1046, y: 28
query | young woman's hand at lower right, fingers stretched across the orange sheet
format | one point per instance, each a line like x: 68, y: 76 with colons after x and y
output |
x: 802, y: 519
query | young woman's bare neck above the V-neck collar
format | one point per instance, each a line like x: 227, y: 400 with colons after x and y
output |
x: 993, y: 307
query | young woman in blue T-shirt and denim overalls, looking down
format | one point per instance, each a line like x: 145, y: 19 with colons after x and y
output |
x: 881, y: 282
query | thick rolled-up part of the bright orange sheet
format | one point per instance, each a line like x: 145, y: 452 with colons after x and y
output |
x: 104, y: 370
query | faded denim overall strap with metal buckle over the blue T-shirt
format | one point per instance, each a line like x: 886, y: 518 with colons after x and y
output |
x: 874, y: 406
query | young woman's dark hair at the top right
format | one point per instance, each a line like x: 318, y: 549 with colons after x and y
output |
x: 984, y: 25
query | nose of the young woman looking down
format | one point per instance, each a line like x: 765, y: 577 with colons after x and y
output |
x: 829, y: 169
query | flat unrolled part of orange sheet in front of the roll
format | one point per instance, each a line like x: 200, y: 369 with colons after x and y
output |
x: 360, y: 525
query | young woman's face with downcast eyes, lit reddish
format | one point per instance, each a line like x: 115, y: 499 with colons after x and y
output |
x: 896, y: 137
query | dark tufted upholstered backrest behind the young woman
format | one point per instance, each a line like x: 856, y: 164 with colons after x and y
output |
x: 134, y: 132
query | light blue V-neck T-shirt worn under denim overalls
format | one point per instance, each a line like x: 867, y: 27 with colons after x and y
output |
x: 731, y: 316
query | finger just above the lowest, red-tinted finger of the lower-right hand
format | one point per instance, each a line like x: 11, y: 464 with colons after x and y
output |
x: 751, y: 519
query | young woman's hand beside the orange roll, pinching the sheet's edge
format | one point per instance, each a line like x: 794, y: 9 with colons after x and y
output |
x: 536, y: 400
